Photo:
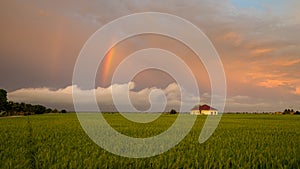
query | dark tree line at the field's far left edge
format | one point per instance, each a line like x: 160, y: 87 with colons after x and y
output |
x: 10, y: 108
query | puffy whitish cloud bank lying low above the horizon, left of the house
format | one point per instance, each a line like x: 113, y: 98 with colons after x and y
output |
x: 62, y: 98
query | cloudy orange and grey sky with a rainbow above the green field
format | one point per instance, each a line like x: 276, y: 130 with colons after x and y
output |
x: 258, y: 42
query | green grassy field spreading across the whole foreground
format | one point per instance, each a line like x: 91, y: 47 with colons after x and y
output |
x: 240, y: 141
